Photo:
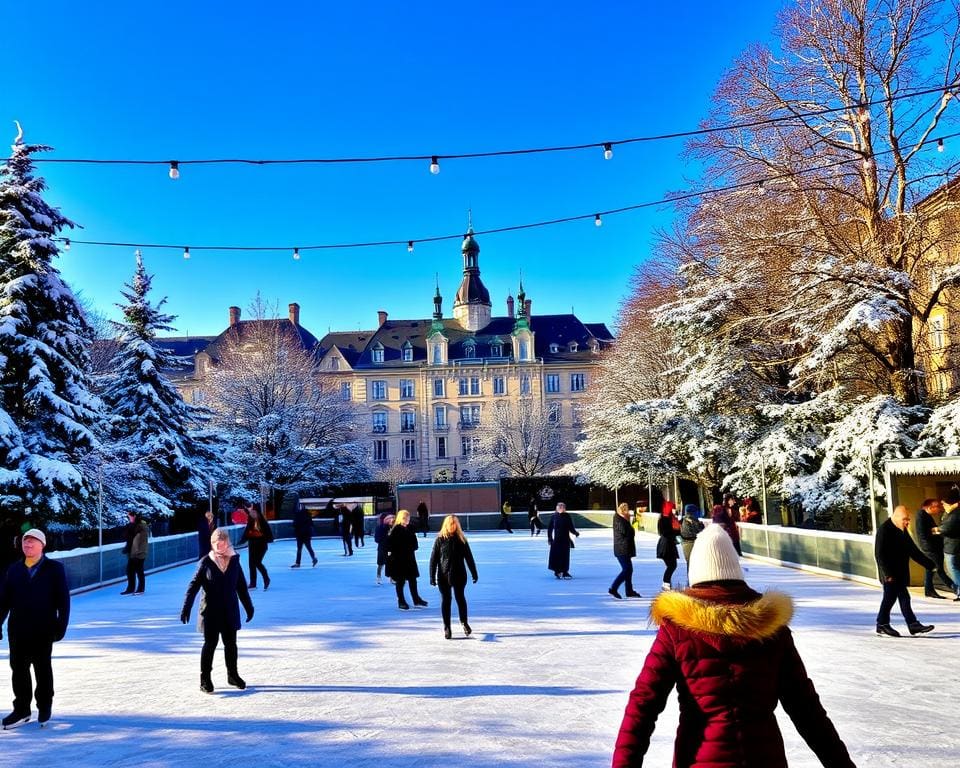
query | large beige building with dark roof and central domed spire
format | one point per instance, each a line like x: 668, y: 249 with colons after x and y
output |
x: 423, y: 386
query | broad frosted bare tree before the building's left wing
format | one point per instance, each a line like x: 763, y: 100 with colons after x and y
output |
x: 287, y: 428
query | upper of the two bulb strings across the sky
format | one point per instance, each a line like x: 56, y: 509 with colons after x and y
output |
x: 862, y: 112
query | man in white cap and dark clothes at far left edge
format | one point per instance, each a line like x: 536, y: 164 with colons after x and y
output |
x: 36, y: 597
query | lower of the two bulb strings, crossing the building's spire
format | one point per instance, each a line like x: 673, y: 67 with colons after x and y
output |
x: 597, y: 217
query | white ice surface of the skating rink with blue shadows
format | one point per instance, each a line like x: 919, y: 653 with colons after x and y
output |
x: 337, y: 675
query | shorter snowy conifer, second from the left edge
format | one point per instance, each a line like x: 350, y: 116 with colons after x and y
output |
x: 159, y: 455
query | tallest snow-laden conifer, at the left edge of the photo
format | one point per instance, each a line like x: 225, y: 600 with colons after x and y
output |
x: 46, y: 428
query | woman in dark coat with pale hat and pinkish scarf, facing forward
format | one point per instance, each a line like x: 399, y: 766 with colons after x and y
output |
x: 220, y: 576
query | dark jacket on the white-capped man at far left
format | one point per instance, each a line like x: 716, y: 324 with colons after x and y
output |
x: 38, y: 607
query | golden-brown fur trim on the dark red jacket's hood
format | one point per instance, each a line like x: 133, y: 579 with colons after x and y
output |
x: 757, y: 619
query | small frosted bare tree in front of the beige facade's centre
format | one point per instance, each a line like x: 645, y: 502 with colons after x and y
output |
x: 522, y: 439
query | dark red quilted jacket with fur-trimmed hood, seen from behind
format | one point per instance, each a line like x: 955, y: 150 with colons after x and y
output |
x: 731, y: 656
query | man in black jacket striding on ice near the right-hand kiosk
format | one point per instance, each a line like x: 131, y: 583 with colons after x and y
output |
x: 894, y: 550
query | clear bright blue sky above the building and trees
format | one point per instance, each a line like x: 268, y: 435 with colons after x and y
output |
x: 289, y: 80
